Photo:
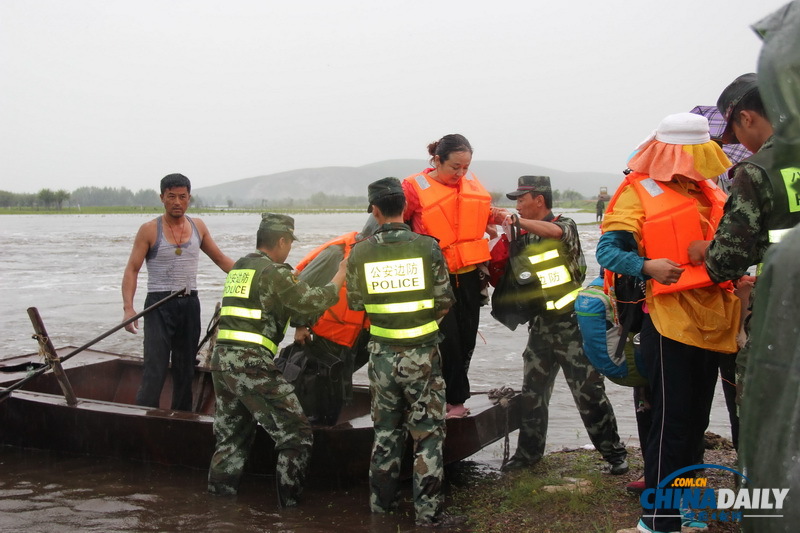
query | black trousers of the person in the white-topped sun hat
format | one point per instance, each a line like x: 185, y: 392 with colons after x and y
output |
x: 682, y: 379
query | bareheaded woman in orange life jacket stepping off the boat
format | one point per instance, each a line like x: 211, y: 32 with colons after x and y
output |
x: 448, y: 203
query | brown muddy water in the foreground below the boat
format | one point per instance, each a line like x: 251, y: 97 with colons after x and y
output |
x: 42, y: 492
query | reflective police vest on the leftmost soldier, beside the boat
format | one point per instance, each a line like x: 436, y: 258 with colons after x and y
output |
x: 241, y: 319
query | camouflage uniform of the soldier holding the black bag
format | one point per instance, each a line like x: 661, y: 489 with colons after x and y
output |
x: 555, y: 341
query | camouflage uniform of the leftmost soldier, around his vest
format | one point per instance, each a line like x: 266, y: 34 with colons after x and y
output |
x: 251, y: 391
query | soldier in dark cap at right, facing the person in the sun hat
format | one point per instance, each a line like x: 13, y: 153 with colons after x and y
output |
x: 761, y: 207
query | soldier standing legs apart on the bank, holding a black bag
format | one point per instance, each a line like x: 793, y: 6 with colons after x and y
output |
x: 555, y: 340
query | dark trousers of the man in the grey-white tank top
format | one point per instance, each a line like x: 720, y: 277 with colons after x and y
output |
x: 171, y: 332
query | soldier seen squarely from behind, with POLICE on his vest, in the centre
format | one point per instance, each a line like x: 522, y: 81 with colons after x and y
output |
x: 401, y: 280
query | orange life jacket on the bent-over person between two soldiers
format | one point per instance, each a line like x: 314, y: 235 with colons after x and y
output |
x: 339, y: 323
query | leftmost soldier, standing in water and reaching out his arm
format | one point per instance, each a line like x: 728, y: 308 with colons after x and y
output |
x: 259, y: 296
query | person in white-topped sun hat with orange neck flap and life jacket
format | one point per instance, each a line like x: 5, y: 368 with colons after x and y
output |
x: 665, y: 203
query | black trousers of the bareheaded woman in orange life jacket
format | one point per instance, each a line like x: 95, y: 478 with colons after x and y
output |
x: 460, y: 327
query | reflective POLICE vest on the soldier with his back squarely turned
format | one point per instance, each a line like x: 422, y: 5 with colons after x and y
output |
x: 396, y: 284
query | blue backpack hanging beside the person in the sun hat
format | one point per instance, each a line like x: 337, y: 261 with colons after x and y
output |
x: 607, y: 343
